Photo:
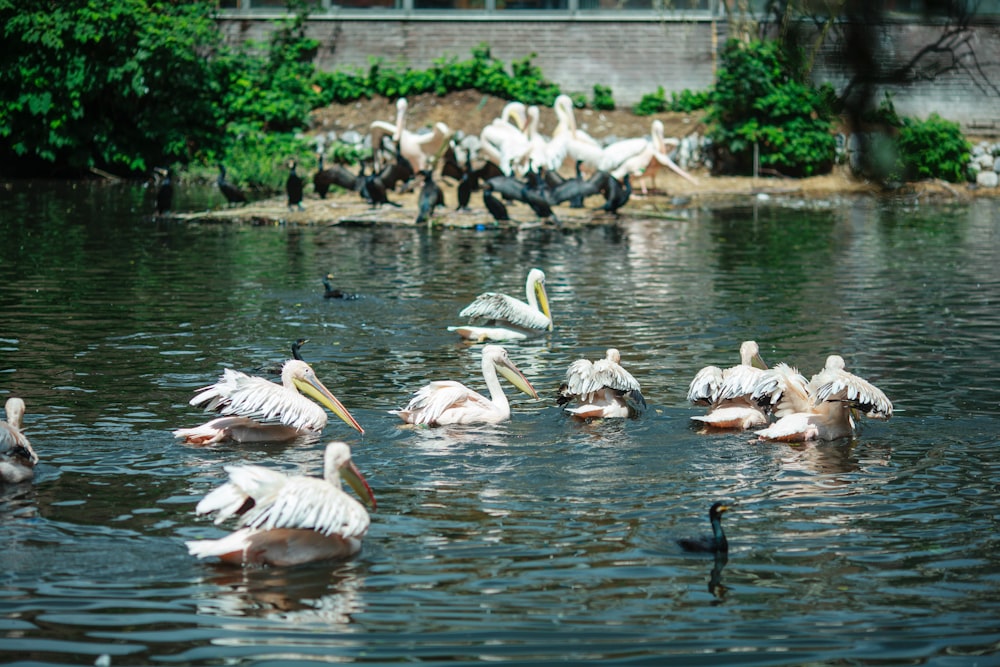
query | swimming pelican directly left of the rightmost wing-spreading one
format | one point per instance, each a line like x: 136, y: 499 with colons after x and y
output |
x: 729, y: 393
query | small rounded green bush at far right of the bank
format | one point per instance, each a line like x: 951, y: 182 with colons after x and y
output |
x: 933, y: 148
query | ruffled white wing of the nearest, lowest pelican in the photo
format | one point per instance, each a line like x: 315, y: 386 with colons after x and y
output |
x: 308, y: 503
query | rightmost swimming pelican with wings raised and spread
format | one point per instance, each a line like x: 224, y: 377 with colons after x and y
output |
x: 820, y: 409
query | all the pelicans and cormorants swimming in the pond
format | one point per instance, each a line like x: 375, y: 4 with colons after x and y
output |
x: 286, y: 520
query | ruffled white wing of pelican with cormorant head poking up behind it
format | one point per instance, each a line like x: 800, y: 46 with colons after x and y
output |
x: 242, y: 395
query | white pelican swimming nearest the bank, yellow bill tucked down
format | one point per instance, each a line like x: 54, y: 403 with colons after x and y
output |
x: 507, y: 318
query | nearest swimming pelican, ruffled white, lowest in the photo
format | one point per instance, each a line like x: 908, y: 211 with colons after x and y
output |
x: 287, y: 520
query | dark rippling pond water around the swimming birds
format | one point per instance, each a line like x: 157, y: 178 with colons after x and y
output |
x: 534, y: 540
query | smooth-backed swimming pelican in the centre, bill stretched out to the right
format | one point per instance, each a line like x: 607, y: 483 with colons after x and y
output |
x: 447, y: 402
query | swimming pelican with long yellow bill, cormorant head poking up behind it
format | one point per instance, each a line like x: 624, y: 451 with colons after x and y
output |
x: 254, y: 409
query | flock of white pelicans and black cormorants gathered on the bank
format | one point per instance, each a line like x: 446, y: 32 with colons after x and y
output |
x: 516, y: 163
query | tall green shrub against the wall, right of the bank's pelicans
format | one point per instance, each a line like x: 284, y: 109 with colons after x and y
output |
x: 759, y: 98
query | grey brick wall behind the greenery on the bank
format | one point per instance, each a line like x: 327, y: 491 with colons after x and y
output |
x: 634, y: 57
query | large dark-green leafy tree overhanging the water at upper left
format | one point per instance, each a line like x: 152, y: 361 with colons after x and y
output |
x: 111, y: 84
